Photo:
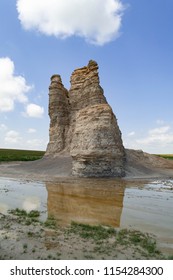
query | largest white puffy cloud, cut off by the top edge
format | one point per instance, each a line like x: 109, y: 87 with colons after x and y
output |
x: 98, y: 21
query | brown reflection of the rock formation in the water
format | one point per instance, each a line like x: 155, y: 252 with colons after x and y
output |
x: 87, y: 201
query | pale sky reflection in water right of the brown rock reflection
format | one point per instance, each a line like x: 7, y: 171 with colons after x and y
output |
x: 150, y: 209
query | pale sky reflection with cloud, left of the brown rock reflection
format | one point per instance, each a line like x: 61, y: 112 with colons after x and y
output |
x: 22, y: 194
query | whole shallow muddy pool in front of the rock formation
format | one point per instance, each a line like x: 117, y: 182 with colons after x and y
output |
x: 144, y: 206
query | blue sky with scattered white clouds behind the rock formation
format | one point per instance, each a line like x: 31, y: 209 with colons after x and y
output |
x: 132, y: 42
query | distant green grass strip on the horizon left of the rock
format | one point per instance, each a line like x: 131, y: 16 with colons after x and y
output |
x: 20, y: 155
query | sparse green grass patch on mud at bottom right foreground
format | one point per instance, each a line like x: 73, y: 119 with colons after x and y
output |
x: 128, y: 238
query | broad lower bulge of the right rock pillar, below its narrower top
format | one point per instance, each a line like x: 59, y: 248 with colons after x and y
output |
x: 96, y: 146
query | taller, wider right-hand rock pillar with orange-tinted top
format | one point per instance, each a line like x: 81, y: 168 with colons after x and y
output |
x: 96, y: 149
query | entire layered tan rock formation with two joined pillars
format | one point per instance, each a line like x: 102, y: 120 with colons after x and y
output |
x: 83, y: 126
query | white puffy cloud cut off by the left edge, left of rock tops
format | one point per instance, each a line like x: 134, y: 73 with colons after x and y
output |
x: 12, y: 88
